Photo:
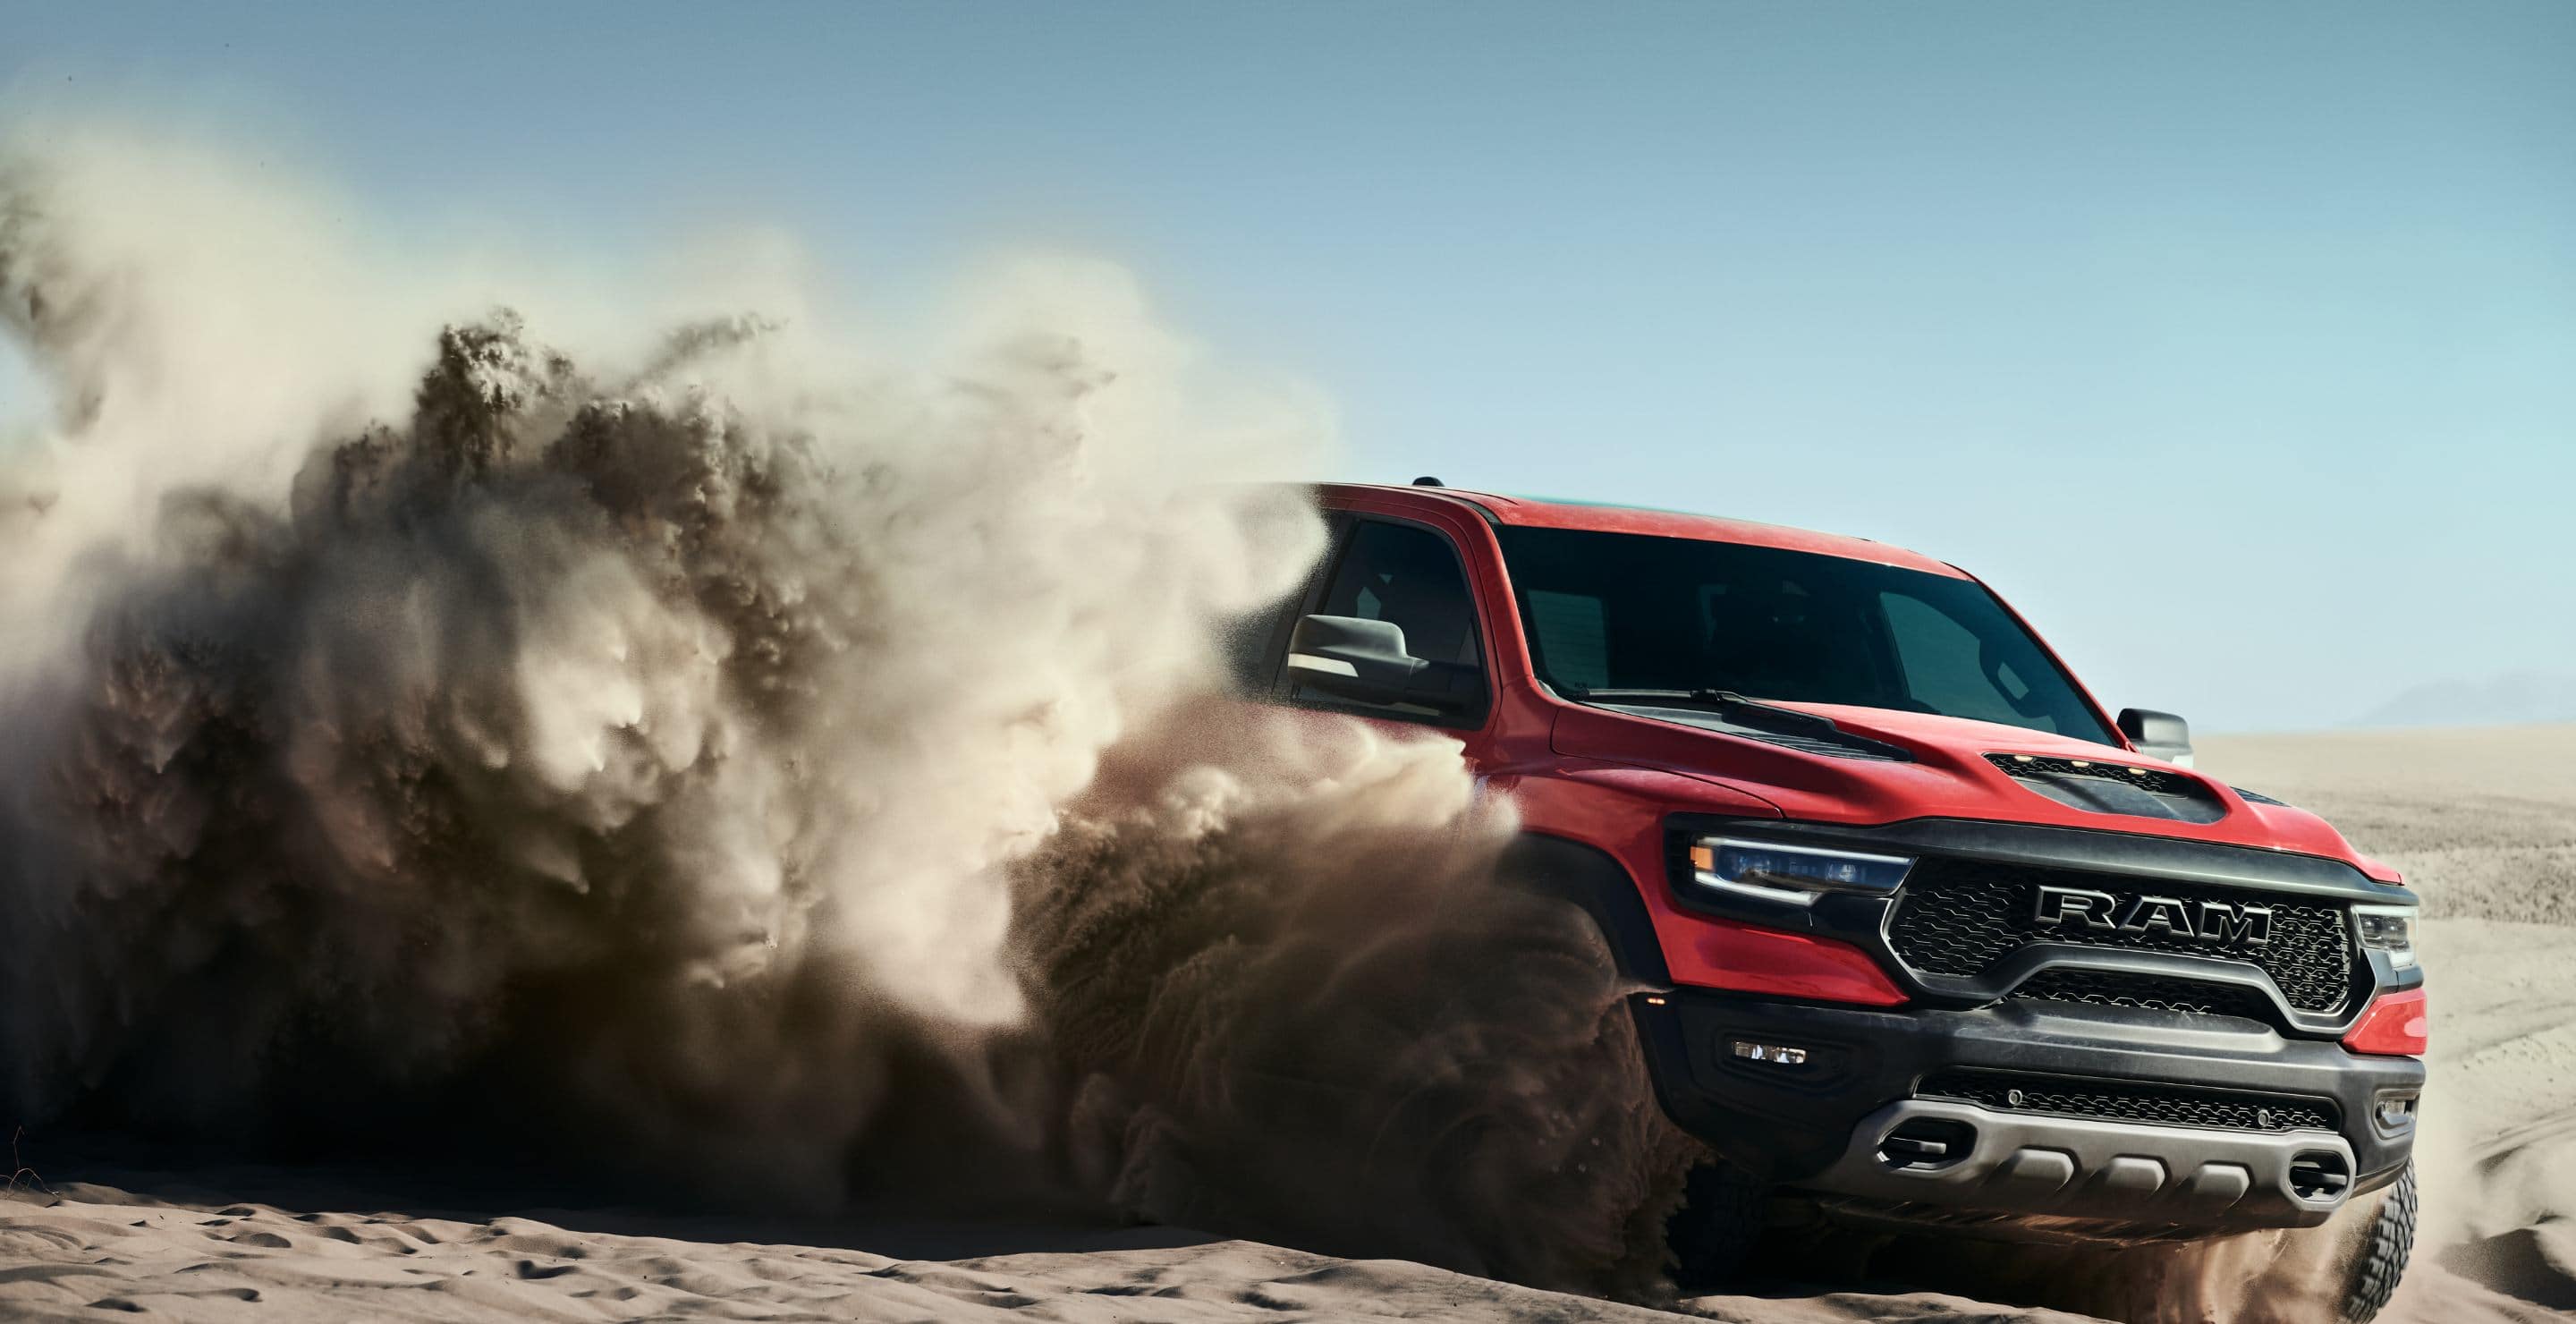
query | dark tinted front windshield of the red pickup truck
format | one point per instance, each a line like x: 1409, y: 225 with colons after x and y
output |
x: 1632, y: 612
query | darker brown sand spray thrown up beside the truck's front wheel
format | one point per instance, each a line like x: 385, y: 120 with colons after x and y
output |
x: 1310, y: 1014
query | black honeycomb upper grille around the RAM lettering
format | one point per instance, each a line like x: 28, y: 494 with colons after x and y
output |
x: 1964, y: 918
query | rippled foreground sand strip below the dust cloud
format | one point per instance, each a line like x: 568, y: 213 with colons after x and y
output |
x: 104, y: 1248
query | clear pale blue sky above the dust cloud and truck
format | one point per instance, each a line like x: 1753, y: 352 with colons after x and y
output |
x: 2237, y: 344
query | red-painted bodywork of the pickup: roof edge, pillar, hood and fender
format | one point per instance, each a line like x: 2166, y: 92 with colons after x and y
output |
x: 1609, y: 779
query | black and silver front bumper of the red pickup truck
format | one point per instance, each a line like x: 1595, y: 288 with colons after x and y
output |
x: 1825, y: 1124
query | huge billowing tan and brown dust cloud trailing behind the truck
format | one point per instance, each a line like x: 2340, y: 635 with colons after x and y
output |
x: 723, y: 759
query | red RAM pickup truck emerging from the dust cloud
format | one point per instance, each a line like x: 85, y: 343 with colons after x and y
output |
x: 1918, y: 931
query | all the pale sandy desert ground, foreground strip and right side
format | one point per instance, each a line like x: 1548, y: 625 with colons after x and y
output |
x: 2485, y: 820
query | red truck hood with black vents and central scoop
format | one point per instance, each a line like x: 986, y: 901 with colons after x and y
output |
x: 1884, y: 766
